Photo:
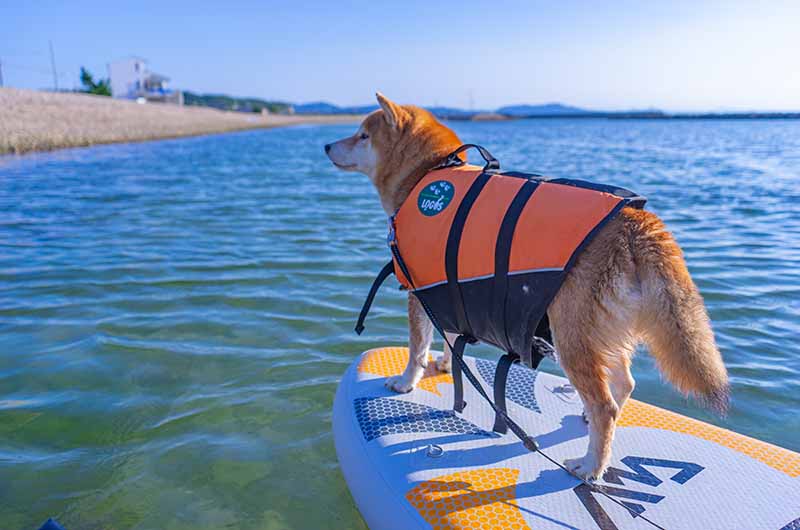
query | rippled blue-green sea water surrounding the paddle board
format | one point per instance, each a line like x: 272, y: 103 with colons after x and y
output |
x: 175, y: 315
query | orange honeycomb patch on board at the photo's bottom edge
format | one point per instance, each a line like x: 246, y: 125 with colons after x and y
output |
x: 477, y: 499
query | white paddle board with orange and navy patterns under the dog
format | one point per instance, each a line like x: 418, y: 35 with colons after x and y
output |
x: 411, y: 462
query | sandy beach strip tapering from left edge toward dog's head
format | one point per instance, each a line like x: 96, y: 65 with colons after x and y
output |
x: 43, y: 121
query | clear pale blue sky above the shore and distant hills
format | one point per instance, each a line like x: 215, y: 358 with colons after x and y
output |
x: 614, y: 55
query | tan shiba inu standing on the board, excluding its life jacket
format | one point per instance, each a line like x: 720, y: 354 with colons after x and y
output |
x: 629, y: 285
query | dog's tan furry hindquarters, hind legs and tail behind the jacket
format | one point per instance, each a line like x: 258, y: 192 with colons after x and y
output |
x: 631, y: 285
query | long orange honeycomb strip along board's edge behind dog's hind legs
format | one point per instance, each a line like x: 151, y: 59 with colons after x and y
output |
x: 638, y: 414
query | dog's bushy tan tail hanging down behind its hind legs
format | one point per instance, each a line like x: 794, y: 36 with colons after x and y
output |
x: 673, y: 320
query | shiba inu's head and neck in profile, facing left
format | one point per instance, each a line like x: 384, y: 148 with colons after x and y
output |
x: 394, y: 145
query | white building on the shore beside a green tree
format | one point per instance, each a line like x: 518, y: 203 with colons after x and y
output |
x: 132, y: 79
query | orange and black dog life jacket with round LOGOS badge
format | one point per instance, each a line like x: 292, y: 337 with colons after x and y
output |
x: 486, y: 252
